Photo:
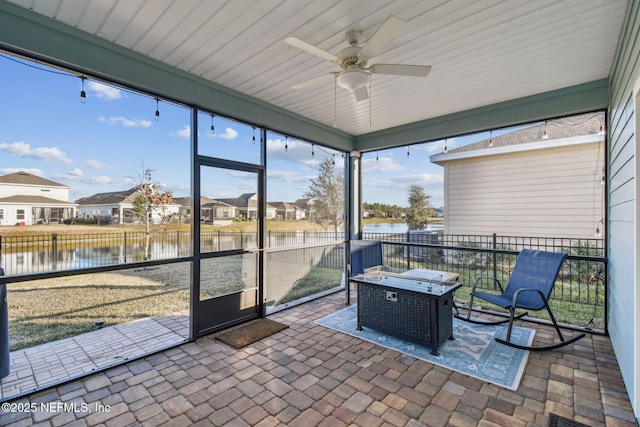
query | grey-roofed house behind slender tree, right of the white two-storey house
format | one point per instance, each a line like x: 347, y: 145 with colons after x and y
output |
x: 118, y: 207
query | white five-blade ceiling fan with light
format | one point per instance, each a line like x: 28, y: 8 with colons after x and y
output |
x: 353, y: 59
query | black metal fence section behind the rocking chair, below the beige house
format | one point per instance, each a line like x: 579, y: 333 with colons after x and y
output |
x: 578, y: 298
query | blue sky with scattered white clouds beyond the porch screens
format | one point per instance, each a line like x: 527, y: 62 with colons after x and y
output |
x: 106, y: 143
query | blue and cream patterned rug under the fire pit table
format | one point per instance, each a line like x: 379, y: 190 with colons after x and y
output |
x: 474, y: 351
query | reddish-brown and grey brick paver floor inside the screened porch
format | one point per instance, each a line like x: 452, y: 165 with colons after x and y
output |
x: 308, y: 375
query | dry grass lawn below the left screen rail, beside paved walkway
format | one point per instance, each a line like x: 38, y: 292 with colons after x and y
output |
x: 51, y: 309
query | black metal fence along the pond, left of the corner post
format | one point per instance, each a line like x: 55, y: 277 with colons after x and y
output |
x: 52, y: 252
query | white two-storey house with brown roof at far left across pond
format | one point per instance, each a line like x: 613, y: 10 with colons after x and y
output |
x: 27, y: 199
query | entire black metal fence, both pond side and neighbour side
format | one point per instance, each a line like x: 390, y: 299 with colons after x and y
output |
x: 580, y: 291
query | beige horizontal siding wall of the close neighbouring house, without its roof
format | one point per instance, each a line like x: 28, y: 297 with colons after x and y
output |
x: 546, y: 192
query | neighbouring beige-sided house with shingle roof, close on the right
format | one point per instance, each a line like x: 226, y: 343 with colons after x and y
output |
x: 540, y: 181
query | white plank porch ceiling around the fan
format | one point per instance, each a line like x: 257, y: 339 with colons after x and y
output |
x: 482, y: 52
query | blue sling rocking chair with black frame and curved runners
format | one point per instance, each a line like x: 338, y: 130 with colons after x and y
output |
x: 529, y: 288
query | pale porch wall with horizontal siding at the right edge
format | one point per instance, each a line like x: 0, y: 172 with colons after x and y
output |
x: 624, y: 216
